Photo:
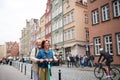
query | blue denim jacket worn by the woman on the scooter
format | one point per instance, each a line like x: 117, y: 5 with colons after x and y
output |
x: 43, y: 55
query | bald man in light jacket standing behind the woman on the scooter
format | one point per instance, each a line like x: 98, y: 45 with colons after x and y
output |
x: 34, y: 60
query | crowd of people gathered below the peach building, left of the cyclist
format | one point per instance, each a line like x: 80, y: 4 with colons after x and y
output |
x: 83, y: 61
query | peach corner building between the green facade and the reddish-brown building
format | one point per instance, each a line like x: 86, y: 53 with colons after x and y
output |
x: 74, y: 27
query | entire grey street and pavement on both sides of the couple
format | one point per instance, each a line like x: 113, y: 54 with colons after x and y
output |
x: 17, y: 72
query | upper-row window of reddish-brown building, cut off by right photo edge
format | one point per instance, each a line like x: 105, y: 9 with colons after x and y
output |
x: 116, y: 8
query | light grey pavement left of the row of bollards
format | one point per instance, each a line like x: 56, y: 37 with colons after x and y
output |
x: 10, y: 73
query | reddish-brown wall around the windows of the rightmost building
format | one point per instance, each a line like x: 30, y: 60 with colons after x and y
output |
x: 103, y: 28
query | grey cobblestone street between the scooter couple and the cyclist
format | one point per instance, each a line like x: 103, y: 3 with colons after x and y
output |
x: 72, y: 74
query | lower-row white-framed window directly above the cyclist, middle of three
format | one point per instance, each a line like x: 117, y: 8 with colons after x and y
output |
x: 108, y: 44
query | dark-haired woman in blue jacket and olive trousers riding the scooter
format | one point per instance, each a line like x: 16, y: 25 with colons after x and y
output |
x: 45, y: 55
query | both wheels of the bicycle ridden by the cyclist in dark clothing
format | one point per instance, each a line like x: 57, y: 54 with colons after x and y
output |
x: 99, y: 72
